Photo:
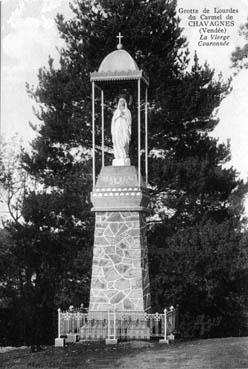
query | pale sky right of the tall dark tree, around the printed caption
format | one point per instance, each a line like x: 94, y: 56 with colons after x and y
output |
x: 233, y: 111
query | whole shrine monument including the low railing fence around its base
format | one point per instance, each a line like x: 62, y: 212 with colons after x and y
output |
x: 120, y: 302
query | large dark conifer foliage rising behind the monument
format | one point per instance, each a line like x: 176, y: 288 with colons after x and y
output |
x: 192, y: 213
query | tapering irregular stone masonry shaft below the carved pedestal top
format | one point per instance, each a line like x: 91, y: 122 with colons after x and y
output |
x: 120, y: 277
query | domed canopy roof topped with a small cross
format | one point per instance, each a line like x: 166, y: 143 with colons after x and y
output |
x: 117, y: 66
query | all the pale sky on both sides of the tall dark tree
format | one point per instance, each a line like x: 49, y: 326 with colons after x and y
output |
x: 29, y: 36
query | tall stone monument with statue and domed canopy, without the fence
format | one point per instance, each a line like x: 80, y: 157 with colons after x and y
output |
x: 120, y: 276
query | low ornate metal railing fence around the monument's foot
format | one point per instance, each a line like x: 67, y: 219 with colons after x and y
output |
x: 122, y: 325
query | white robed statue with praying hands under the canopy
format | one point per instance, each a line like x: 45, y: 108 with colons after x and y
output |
x: 121, y: 133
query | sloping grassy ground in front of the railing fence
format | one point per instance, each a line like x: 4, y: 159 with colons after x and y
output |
x: 222, y: 353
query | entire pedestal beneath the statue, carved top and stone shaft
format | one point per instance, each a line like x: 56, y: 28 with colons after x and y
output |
x: 120, y: 277
